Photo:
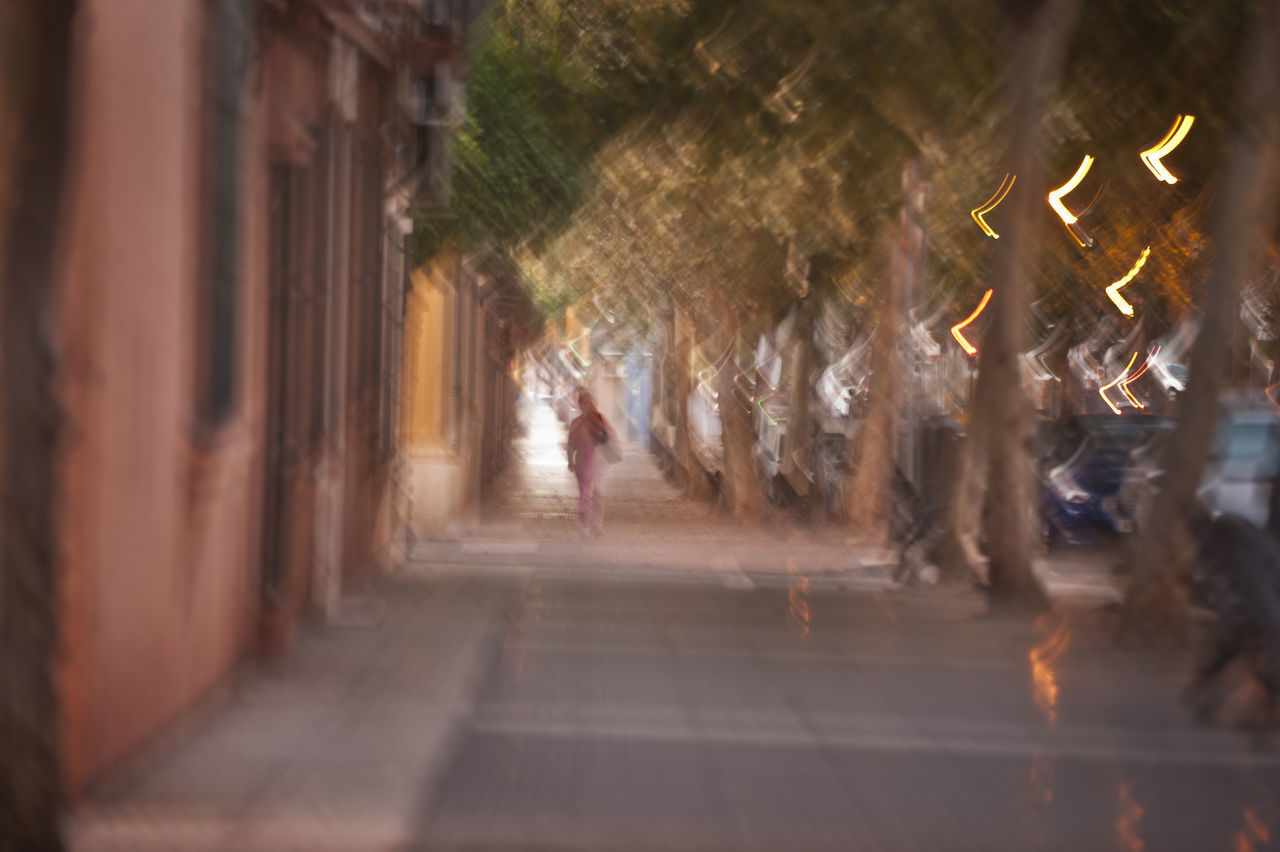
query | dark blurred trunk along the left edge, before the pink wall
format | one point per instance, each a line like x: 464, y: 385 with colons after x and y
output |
x: 35, y: 100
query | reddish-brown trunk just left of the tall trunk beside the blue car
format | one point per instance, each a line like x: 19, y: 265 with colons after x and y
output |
x: 875, y: 448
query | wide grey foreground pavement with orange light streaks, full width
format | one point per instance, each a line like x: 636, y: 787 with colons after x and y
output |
x: 532, y: 712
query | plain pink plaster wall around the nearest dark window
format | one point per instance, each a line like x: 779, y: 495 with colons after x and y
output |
x: 162, y: 530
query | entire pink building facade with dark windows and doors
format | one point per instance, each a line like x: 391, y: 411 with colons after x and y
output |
x: 230, y: 322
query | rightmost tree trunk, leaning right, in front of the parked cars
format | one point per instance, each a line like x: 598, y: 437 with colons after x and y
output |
x: 1156, y: 601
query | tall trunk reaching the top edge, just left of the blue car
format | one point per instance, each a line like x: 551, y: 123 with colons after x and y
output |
x: 1040, y: 33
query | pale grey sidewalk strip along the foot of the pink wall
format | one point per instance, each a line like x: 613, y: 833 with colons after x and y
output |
x: 327, y: 752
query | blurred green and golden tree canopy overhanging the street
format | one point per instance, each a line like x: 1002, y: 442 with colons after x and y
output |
x: 655, y: 150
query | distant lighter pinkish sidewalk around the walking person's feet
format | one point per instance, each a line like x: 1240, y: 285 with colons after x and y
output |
x: 651, y: 529
